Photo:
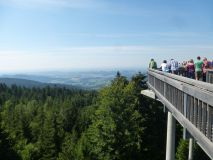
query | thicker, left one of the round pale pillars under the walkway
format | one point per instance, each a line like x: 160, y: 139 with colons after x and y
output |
x: 170, y: 142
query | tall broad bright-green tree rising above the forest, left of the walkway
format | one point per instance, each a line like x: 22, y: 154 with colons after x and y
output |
x: 117, y: 125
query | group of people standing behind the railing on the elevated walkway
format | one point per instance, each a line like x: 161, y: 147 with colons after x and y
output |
x: 195, y: 70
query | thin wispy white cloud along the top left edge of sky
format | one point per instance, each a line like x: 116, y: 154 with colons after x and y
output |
x: 105, y: 6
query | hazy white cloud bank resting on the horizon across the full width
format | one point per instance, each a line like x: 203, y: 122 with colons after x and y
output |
x: 97, y: 57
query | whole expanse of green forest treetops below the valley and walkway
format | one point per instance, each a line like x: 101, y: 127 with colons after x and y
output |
x: 64, y: 124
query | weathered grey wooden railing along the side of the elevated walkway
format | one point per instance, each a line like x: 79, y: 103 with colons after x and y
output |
x: 190, y: 102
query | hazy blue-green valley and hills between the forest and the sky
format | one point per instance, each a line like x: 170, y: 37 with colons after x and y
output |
x: 80, y: 79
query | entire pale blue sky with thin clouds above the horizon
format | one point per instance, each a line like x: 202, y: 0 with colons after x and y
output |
x: 73, y: 34
